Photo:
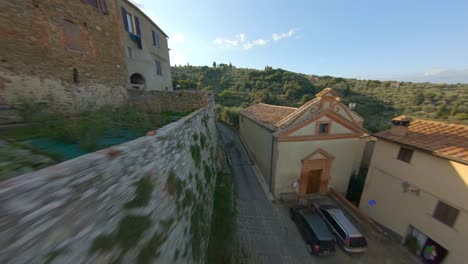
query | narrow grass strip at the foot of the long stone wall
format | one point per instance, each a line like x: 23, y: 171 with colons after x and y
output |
x: 223, y: 224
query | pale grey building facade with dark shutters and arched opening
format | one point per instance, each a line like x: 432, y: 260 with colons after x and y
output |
x: 146, y: 50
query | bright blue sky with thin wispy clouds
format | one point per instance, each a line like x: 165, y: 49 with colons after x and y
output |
x: 375, y: 39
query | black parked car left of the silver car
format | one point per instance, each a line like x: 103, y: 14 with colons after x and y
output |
x: 313, y: 229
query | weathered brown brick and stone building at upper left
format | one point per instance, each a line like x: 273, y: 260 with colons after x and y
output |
x: 63, y: 53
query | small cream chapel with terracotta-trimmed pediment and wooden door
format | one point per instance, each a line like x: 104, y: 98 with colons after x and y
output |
x: 306, y: 149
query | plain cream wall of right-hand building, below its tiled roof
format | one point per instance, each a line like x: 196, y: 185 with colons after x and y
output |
x: 437, y: 179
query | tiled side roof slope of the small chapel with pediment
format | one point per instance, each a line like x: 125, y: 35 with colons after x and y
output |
x: 267, y: 115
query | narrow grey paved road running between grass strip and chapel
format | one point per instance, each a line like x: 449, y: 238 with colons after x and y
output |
x: 261, y: 225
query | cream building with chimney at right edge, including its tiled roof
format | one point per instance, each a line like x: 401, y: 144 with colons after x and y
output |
x: 417, y: 186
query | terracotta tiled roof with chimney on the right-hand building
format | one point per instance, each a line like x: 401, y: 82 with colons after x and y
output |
x: 442, y: 139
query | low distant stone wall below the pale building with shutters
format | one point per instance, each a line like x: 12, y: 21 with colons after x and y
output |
x: 160, y: 101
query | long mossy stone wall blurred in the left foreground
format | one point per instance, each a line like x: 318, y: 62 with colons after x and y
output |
x: 145, y: 201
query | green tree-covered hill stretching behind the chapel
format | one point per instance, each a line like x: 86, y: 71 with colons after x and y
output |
x: 376, y: 101
